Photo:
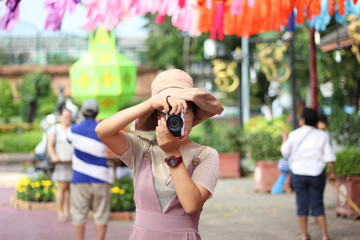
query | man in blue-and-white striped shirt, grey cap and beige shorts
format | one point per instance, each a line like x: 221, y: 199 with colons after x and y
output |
x: 91, y: 180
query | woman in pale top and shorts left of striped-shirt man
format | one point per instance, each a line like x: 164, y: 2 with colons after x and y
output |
x: 60, y: 152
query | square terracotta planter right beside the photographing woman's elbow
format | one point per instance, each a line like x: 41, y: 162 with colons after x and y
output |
x: 229, y: 165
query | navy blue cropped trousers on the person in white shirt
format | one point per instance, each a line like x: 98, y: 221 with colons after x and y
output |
x: 309, y: 194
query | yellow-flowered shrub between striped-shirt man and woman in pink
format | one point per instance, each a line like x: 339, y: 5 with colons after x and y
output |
x: 122, y: 193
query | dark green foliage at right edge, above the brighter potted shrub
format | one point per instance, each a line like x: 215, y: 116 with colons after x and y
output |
x: 345, y: 128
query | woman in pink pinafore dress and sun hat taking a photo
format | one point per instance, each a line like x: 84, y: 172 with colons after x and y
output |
x: 173, y: 176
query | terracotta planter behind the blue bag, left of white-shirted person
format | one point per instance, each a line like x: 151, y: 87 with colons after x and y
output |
x: 265, y: 176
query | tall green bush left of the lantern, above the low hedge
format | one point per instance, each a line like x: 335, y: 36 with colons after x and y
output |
x: 36, y: 96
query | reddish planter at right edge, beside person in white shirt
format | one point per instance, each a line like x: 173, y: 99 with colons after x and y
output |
x: 350, y: 186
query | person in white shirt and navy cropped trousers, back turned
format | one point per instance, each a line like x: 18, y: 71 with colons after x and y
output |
x: 308, y: 150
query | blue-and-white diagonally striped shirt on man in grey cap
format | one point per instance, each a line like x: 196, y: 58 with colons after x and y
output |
x: 90, y: 154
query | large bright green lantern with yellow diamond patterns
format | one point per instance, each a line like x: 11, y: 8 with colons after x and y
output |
x: 103, y: 74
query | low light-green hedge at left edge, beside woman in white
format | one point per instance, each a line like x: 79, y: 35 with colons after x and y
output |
x: 20, y: 142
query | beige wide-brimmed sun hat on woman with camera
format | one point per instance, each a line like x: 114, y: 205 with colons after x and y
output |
x: 177, y: 83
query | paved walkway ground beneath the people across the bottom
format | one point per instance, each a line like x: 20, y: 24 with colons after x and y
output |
x: 235, y: 212
